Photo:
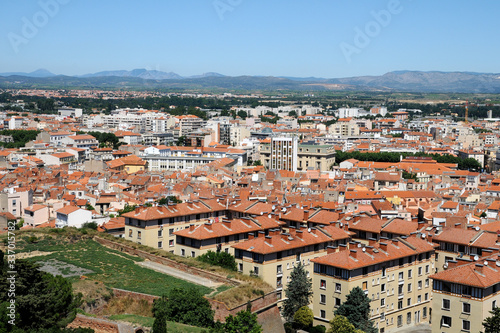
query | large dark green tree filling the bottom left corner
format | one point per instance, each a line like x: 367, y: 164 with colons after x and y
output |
x: 43, y: 301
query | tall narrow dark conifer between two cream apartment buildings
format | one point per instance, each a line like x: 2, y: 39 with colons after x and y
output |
x: 298, y: 292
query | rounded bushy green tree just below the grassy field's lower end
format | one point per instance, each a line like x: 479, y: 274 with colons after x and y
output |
x: 186, y: 306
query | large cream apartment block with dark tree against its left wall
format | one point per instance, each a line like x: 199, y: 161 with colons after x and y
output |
x: 395, y: 275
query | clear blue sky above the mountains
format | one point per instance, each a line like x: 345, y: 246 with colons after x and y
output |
x: 329, y: 38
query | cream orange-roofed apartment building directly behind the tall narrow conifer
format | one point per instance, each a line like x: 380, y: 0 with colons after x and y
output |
x: 274, y: 256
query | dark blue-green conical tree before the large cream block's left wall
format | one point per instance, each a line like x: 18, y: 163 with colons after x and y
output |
x: 356, y: 309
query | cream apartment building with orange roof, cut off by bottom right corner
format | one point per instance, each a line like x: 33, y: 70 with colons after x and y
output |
x: 464, y: 294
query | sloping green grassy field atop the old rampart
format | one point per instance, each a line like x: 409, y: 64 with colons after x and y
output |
x: 113, y: 268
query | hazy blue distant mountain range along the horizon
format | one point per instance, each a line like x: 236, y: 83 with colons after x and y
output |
x: 405, y: 81
